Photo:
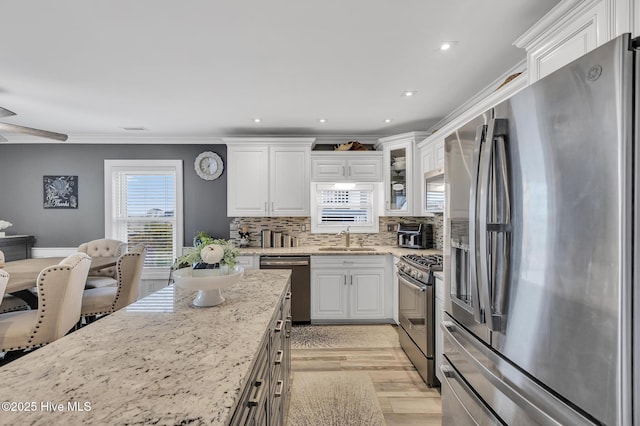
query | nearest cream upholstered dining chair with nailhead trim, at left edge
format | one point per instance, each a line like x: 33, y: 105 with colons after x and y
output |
x: 60, y: 290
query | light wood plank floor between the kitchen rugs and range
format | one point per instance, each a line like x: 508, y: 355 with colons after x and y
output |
x: 403, y: 396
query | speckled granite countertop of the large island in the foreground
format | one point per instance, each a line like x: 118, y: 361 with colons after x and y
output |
x: 158, y: 361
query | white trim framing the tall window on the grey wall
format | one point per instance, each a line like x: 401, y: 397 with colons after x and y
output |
x: 110, y: 203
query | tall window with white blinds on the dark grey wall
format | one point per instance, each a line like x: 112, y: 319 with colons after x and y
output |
x: 145, y: 207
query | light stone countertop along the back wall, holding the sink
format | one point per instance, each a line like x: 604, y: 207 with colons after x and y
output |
x: 315, y: 251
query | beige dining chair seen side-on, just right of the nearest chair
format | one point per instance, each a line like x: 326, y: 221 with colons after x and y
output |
x: 105, y: 300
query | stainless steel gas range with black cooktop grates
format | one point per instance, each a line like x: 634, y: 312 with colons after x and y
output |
x: 416, y: 311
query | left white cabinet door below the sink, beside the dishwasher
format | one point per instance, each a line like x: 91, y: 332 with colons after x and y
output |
x: 329, y: 294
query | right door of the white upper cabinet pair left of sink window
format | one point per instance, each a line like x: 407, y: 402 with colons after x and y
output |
x: 289, y: 181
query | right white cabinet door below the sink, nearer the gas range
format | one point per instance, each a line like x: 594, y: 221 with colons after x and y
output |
x: 366, y: 298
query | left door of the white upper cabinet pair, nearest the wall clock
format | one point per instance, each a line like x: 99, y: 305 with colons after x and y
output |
x: 247, y: 181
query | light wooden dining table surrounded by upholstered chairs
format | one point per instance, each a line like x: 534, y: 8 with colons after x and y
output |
x: 24, y: 274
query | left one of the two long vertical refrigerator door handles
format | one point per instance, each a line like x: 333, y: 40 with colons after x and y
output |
x: 473, y: 222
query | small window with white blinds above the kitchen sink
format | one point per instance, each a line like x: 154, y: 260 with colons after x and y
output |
x: 340, y: 205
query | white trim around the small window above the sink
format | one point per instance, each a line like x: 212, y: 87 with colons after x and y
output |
x: 374, y: 227
